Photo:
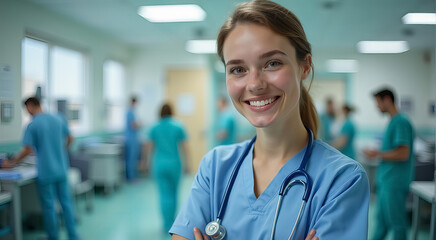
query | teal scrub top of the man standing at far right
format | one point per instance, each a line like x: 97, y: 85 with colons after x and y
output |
x: 398, y: 133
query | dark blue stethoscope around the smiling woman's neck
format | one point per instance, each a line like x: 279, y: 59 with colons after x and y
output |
x: 217, y: 231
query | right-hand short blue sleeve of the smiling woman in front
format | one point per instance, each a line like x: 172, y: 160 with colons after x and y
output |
x: 344, y: 215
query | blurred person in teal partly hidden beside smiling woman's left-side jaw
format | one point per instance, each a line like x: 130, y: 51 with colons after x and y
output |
x: 226, y: 124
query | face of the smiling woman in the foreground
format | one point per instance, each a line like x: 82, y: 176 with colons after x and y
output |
x: 263, y: 75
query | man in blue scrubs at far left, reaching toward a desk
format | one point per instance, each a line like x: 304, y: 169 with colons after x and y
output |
x: 48, y: 137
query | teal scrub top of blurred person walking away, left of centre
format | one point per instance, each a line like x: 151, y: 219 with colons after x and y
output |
x: 166, y: 135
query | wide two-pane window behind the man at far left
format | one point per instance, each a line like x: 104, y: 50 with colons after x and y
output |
x: 56, y: 75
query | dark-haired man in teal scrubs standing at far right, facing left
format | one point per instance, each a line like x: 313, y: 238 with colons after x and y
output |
x: 395, y: 170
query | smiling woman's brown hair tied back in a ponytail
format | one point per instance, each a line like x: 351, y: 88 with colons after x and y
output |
x: 284, y: 22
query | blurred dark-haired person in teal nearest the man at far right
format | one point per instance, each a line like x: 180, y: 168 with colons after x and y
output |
x: 345, y: 141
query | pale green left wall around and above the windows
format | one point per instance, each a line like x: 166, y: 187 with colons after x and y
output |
x: 18, y: 18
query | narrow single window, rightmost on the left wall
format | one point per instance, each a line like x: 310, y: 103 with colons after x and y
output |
x: 114, y: 92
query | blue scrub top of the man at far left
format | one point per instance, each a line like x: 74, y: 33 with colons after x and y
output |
x: 47, y: 135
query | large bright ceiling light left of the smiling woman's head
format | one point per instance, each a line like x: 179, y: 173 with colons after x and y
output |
x: 172, y: 13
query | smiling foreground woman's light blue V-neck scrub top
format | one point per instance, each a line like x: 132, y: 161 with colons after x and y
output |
x: 337, y: 207
